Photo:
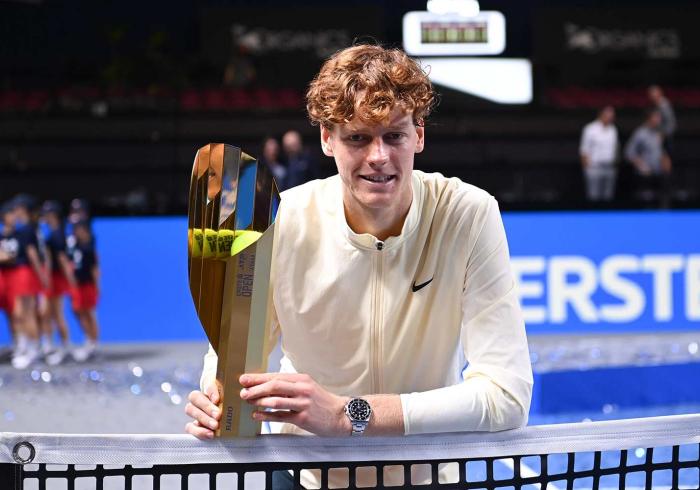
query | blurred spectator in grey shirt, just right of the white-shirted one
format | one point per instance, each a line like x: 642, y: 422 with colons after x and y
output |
x: 645, y: 150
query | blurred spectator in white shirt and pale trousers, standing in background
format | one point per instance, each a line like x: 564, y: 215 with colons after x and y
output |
x: 598, y: 151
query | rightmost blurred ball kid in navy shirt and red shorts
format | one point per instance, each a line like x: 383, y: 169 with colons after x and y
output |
x: 86, y: 292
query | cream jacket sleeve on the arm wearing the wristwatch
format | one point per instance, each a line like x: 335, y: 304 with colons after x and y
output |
x: 497, y: 387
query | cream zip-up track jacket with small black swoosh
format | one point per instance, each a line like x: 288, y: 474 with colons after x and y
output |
x: 405, y: 315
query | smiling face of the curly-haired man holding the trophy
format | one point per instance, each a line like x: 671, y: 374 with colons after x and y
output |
x: 375, y: 160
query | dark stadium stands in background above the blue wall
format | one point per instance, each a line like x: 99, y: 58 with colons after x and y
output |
x: 109, y: 100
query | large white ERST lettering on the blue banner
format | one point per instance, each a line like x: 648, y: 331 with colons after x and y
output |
x: 622, y: 288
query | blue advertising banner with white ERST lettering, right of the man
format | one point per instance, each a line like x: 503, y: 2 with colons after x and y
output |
x: 607, y: 271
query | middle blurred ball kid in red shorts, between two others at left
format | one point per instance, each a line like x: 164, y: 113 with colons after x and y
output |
x: 62, y: 279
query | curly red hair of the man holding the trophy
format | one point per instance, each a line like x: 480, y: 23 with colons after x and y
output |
x: 367, y: 81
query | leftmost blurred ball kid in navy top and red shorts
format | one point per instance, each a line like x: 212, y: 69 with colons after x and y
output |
x: 24, y: 276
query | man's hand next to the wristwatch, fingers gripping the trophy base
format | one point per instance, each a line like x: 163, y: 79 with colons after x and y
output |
x: 298, y: 400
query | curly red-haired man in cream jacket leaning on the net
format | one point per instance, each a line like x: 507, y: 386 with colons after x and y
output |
x: 388, y: 282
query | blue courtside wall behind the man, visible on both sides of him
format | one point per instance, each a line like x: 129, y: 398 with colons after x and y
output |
x: 578, y: 272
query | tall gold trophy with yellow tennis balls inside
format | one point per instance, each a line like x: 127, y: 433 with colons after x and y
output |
x: 233, y: 201
